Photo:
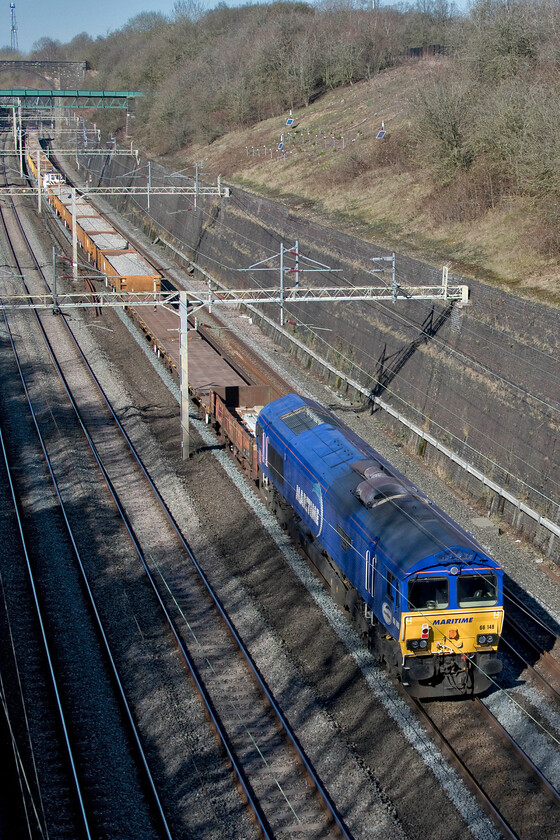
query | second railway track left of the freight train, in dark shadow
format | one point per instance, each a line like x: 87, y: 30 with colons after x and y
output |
x: 76, y: 662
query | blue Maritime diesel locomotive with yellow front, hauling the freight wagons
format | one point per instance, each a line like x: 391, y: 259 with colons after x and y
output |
x: 419, y: 587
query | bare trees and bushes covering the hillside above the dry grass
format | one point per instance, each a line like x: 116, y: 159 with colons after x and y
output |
x: 487, y: 126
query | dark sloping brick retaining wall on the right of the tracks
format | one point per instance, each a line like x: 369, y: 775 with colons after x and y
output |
x: 482, y: 378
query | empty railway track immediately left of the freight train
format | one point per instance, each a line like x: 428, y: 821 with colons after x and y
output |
x: 286, y: 796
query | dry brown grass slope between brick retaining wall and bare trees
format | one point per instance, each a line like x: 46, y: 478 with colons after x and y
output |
x: 335, y: 170
